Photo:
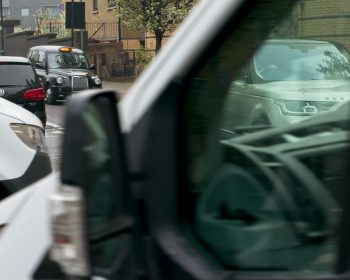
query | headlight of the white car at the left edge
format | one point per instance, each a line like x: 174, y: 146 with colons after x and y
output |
x: 32, y: 136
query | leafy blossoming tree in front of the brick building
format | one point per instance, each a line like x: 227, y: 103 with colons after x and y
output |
x: 157, y: 16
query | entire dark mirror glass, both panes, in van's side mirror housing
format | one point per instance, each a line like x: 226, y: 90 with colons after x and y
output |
x: 102, y: 181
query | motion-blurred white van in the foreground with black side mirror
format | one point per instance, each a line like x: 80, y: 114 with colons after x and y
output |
x: 149, y: 190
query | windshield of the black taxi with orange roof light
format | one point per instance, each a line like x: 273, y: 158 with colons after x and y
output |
x: 67, y: 60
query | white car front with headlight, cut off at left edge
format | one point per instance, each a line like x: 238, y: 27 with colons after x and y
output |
x: 24, y: 158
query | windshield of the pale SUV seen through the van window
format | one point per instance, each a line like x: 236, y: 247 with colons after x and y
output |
x: 290, y: 61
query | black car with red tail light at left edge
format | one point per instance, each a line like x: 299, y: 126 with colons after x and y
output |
x: 20, y: 84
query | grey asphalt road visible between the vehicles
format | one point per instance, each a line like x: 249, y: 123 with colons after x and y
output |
x: 55, y: 123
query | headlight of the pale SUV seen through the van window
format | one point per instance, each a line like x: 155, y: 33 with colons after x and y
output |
x: 298, y: 107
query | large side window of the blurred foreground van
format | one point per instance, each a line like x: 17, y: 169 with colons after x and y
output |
x: 267, y: 162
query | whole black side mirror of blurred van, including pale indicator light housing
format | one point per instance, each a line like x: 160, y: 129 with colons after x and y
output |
x: 90, y: 205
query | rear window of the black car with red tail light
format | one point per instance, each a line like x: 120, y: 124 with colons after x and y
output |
x: 16, y: 74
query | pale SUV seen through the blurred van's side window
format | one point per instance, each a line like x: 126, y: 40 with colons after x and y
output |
x: 288, y: 80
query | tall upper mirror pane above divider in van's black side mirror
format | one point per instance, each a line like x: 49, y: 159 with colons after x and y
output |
x: 98, y: 168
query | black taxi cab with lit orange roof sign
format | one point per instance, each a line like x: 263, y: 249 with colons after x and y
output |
x: 64, y: 70
